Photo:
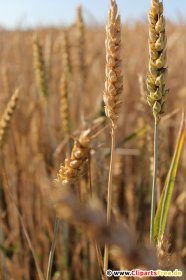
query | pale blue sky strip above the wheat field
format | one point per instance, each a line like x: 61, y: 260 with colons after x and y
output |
x: 30, y: 13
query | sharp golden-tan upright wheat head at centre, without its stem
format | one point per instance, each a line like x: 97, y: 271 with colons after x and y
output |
x: 114, y: 78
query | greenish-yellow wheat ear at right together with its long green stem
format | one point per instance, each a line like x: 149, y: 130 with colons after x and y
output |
x: 156, y: 84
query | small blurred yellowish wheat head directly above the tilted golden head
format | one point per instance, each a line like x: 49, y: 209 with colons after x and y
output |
x: 64, y: 104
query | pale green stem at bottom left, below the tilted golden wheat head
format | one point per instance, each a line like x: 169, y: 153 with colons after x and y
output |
x: 51, y: 256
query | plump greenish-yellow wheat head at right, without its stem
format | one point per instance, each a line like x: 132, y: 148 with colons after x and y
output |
x: 156, y: 80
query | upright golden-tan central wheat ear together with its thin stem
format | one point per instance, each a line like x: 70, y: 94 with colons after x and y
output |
x: 113, y: 90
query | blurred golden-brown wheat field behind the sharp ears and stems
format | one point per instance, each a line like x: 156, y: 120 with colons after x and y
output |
x: 36, y: 144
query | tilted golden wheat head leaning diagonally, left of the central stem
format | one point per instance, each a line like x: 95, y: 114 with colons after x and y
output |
x: 74, y: 164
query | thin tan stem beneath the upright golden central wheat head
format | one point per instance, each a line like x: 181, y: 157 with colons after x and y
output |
x: 109, y: 197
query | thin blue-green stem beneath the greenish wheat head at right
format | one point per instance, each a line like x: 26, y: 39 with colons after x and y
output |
x: 154, y: 187
